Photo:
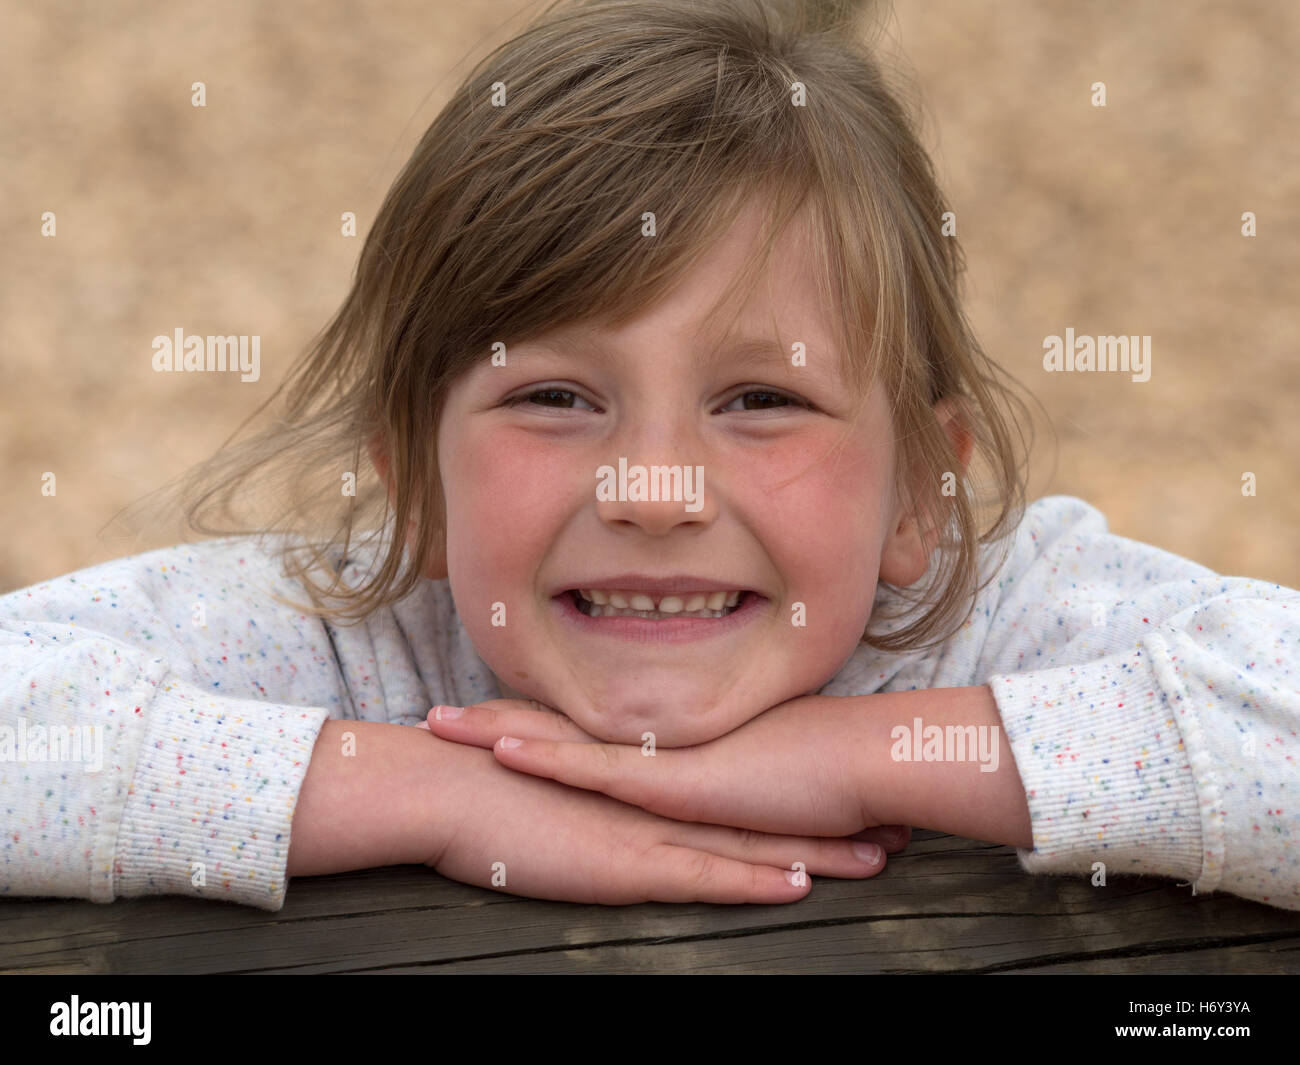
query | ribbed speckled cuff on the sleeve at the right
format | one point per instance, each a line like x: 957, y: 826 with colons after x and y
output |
x: 1107, y: 774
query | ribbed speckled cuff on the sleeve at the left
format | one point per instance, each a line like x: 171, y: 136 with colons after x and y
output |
x: 213, y: 798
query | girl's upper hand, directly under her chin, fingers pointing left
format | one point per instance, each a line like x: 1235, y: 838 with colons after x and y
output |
x: 801, y: 768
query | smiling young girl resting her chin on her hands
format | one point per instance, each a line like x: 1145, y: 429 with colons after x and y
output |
x: 682, y: 456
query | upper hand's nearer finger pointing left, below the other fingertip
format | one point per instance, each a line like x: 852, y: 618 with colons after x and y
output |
x: 621, y: 772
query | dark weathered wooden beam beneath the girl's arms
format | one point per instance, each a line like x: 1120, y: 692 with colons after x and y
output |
x: 944, y: 906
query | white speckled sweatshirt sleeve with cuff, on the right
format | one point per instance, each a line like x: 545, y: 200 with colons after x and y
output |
x: 1152, y: 709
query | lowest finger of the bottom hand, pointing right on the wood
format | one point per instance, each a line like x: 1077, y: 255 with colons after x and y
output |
x: 681, y: 874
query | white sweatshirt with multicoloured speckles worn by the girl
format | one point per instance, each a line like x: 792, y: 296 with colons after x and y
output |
x: 1163, y: 741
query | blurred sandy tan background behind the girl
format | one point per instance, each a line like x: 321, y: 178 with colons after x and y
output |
x: 226, y: 220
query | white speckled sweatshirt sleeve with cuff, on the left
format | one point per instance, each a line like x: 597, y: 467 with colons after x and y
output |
x: 124, y: 772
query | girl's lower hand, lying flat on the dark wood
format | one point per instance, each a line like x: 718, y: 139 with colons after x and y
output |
x: 541, y: 839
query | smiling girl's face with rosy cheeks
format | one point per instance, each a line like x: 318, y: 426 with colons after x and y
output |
x: 766, y: 509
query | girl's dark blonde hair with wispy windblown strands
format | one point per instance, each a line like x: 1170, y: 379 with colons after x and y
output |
x: 509, y: 222
